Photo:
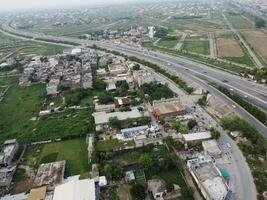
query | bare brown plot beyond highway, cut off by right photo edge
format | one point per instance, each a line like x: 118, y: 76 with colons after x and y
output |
x: 258, y: 40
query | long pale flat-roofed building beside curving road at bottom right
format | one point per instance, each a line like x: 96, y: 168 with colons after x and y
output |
x: 208, y: 178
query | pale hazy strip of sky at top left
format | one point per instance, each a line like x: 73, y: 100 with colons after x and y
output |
x: 22, y: 4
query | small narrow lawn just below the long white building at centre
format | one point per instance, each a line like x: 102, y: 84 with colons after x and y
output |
x: 107, y: 145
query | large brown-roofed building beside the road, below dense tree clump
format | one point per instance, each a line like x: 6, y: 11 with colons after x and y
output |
x: 168, y: 108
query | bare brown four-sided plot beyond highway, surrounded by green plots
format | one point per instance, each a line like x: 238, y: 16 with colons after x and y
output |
x: 228, y: 48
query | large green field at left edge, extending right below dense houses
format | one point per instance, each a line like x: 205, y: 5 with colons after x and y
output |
x: 20, y: 107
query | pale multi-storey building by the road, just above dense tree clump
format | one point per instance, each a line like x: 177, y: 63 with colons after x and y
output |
x: 143, y: 76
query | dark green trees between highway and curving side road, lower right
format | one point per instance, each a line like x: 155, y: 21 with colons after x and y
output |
x: 254, y: 147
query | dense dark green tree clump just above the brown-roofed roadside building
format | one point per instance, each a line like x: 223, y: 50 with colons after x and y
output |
x: 153, y: 91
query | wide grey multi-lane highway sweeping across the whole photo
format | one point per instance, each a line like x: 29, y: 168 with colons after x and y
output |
x: 199, y: 73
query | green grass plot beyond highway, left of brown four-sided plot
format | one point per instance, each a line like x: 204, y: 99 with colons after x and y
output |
x: 201, y: 47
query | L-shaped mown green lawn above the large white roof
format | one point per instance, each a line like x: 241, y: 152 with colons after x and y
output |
x: 73, y: 151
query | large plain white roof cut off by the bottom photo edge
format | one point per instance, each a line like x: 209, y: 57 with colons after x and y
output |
x: 76, y: 190
